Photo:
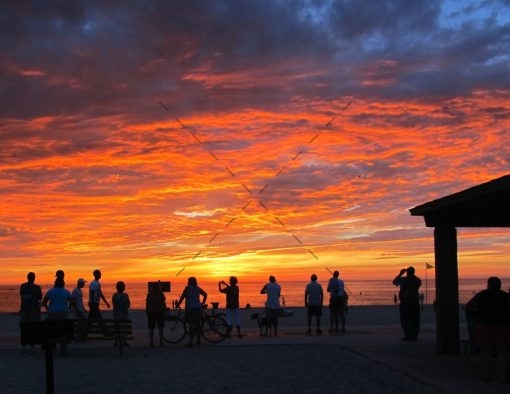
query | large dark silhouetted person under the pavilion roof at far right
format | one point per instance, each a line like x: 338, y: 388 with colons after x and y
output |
x: 491, y: 312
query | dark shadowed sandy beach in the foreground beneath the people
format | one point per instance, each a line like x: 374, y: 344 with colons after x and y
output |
x: 369, y: 358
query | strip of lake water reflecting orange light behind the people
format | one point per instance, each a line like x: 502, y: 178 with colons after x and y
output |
x: 366, y: 292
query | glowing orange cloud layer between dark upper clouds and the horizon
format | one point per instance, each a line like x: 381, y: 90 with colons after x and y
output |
x: 258, y: 193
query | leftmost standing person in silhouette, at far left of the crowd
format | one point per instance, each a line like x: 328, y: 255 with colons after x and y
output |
x: 30, y: 308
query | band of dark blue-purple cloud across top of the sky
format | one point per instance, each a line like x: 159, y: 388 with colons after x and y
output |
x: 96, y: 58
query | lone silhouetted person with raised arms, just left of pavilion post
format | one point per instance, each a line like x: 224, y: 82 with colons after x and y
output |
x: 409, y: 302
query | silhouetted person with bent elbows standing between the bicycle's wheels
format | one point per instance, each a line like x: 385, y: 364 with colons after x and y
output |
x: 194, y: 307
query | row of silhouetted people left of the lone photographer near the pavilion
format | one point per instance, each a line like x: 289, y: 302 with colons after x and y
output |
x: 62, y: 304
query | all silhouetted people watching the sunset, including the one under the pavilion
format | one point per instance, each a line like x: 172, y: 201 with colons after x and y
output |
x: 488, y: 312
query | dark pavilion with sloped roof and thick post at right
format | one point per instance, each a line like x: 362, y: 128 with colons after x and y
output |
x: 484, y: 205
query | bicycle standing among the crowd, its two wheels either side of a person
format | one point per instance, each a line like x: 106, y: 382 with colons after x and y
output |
x: 213, y: 327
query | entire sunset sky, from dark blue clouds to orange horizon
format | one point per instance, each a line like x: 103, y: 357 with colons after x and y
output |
x: 163, y: 139
